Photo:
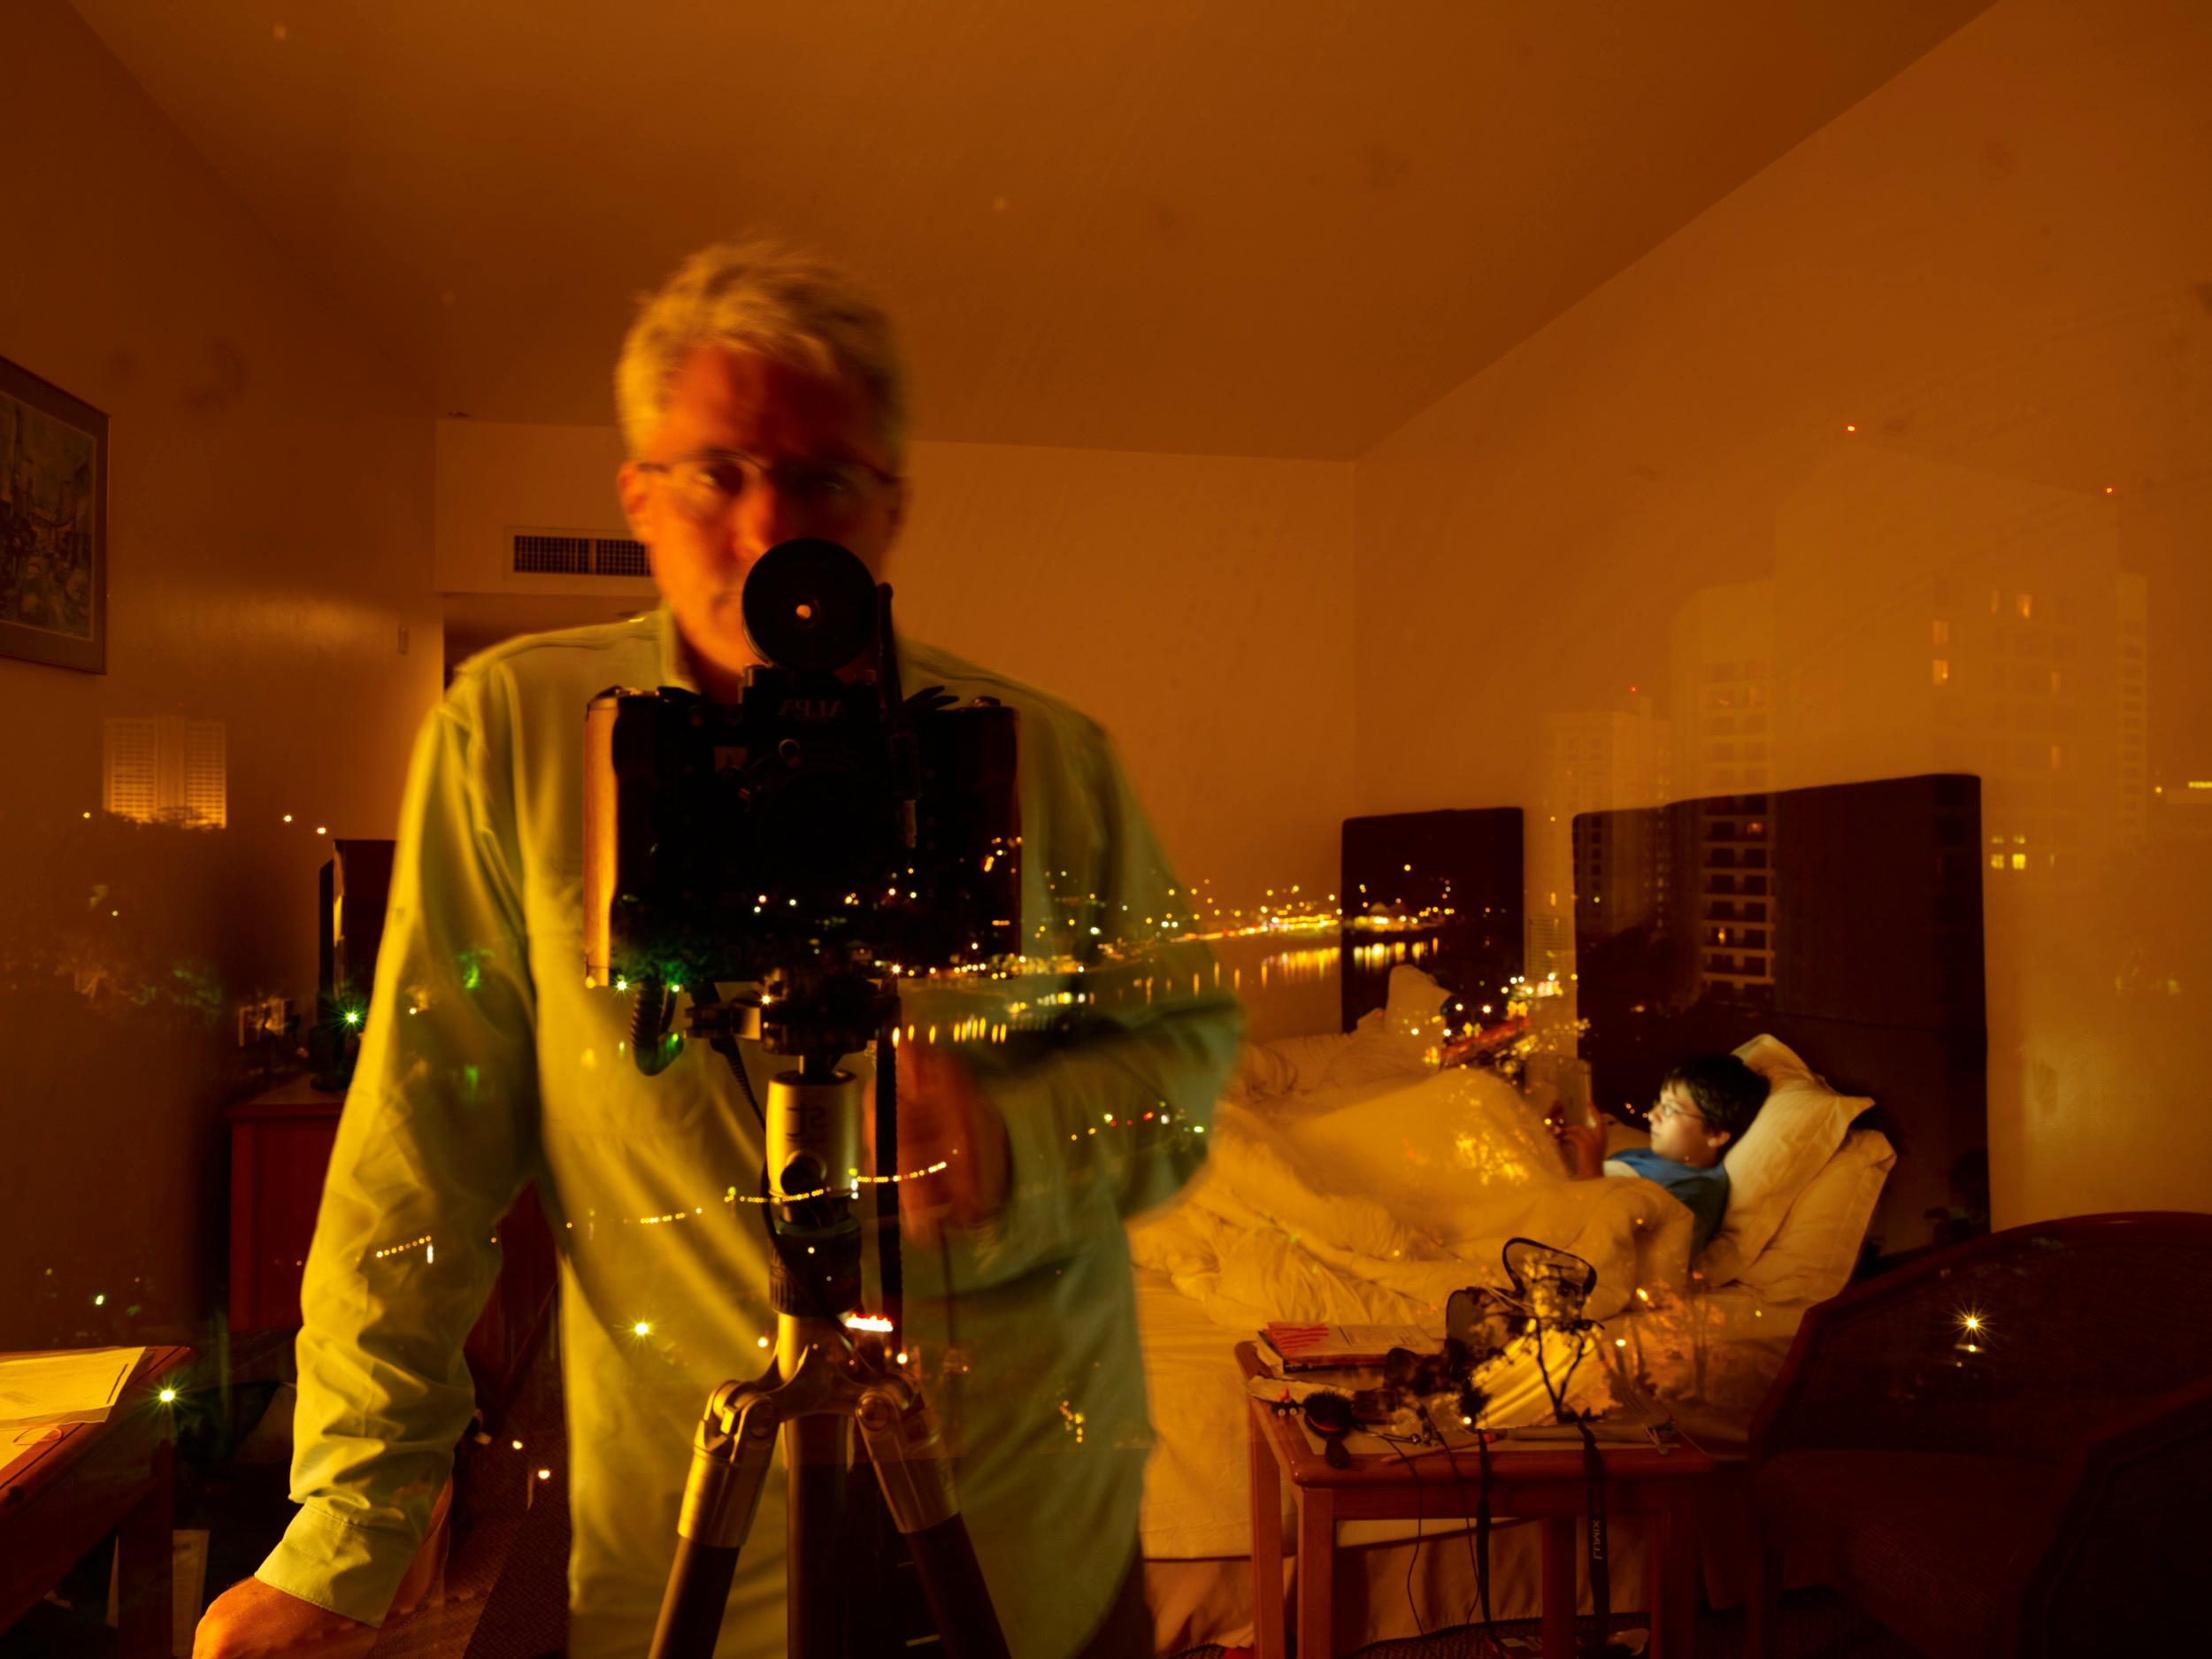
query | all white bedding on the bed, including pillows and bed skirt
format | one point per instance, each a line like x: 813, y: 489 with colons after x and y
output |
x: 1350, y: 1185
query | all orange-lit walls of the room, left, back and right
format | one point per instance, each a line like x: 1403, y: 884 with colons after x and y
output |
x: 1996, y: 269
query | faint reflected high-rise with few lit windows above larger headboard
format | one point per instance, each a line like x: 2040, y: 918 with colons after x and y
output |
x: 1937, y: 618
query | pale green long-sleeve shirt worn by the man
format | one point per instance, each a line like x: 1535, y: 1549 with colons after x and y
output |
x: 488, y: 1065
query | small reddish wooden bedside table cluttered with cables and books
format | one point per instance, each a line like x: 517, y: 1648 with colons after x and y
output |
x: 1538, y: 1483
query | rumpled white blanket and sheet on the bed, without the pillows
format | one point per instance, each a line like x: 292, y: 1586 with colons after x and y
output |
x: 1373, y: 1204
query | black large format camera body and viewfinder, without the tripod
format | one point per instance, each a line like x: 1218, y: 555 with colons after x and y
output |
x: 817, y: 839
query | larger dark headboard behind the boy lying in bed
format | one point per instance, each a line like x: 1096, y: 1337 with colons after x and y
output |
x: 1844, y: 919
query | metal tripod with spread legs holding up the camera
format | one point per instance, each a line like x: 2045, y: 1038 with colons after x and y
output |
x: 822, y: 1379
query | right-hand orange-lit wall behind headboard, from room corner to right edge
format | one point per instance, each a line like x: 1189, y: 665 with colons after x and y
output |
x: 2001, y: 271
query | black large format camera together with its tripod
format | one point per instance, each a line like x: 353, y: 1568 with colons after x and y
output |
x: 822, y: 839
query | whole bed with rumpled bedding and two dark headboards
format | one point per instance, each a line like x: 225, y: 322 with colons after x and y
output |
x: 1353, y: 1182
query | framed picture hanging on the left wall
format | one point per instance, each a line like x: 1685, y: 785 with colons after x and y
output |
x: 54, y: 525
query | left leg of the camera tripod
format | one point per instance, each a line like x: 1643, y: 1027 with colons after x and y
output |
x: 722, y: 1494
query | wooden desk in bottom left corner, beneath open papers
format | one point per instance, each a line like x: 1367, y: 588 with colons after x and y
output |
x: 87, y: 1481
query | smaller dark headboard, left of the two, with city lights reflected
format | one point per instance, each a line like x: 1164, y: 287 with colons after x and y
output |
x: 1412, y: 864
